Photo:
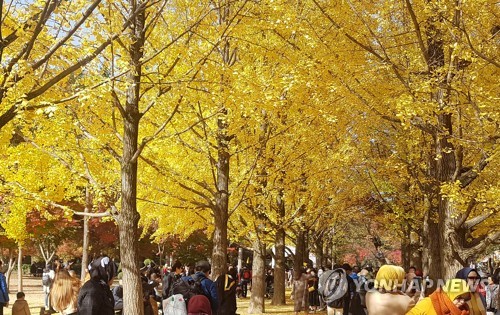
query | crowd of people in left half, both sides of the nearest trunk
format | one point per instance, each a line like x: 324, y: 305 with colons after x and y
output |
x: 67, y: 295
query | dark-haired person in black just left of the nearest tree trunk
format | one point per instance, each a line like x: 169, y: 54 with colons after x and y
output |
x: 95, y: 297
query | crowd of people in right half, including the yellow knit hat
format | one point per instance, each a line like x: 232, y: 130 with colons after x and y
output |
x: 392, y: 291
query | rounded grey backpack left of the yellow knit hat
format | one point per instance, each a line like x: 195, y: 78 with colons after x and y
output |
x: 333, y: 286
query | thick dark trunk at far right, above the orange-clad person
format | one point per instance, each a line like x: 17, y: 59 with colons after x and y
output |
x: 440, y: 261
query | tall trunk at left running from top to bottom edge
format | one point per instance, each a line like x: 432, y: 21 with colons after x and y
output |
x: 129, y: 217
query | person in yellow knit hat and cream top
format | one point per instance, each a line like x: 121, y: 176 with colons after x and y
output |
x: 387, y: 297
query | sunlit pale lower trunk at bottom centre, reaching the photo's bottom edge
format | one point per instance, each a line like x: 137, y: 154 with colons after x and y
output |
x: 257, y: 305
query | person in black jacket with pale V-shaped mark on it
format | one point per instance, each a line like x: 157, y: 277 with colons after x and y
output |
x: 226, y: 292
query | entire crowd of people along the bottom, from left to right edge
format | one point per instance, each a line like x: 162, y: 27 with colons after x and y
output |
x: 343, y: 290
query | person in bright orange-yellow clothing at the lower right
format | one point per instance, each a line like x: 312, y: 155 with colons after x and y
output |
x: 450, y: 299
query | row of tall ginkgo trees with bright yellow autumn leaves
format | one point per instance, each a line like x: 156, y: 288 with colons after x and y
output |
x: 262, y: 122
